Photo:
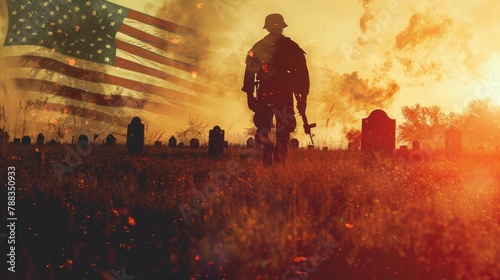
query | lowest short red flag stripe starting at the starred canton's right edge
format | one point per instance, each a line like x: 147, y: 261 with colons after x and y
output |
x: 134, y: 66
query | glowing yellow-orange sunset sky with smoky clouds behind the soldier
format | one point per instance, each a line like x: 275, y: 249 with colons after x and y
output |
x: 362, y: 55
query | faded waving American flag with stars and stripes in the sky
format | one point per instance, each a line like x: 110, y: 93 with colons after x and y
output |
x: 101, y: 61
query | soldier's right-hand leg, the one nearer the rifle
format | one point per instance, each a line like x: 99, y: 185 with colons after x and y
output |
x: 285, y: 124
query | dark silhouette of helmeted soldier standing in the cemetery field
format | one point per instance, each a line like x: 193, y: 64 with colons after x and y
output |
x: 276, y: 67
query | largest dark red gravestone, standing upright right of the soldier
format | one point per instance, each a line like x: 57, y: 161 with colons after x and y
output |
x: 378, y: 134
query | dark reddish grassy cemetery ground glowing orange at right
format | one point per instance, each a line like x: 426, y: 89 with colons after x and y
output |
x: 324, y: 215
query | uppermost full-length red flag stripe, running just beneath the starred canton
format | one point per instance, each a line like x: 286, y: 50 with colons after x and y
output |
x: 92, y: 76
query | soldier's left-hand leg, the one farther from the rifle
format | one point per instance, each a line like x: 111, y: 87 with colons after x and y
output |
x: 263, y: 121
